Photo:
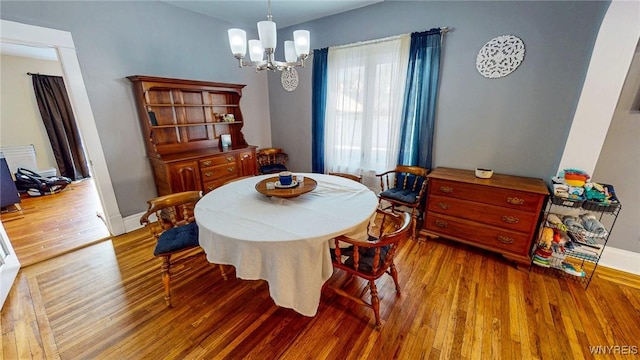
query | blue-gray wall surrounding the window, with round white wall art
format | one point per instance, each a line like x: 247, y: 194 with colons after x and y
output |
x: 515, y: 125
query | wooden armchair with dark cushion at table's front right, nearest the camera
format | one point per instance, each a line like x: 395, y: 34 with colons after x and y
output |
x: 371, y: 259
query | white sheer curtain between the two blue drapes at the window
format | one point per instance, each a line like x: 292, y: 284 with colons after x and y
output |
x: 365, y: 90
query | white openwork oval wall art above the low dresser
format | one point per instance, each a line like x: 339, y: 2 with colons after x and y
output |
x: 500, y: 56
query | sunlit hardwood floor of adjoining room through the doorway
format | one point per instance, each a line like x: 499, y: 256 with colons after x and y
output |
x: 52, y: 225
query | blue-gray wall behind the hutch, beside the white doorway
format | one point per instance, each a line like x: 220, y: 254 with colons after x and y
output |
x: 119, y: 38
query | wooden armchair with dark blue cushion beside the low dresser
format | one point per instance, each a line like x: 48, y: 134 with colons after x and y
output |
x: 405, y: 186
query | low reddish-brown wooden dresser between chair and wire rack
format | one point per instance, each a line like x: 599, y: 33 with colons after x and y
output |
x: 500, y: 214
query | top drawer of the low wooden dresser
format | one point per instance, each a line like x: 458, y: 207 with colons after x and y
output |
x: 513, y: 199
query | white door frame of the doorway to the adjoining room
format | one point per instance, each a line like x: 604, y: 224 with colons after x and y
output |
x: 30, y: 35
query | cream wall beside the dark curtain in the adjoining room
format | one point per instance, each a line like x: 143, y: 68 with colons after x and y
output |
x: 20, y: 119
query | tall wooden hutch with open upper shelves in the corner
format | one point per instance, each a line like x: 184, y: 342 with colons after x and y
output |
x: 182, y: 122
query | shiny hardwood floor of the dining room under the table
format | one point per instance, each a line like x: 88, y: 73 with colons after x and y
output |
x: 105, y: 301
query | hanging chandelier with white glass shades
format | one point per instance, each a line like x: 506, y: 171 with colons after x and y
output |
x: 295, y: 52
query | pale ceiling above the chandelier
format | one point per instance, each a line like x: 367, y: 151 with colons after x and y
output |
x: 246, y: 13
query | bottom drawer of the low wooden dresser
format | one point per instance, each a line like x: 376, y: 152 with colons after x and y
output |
x: 485, y: 236
